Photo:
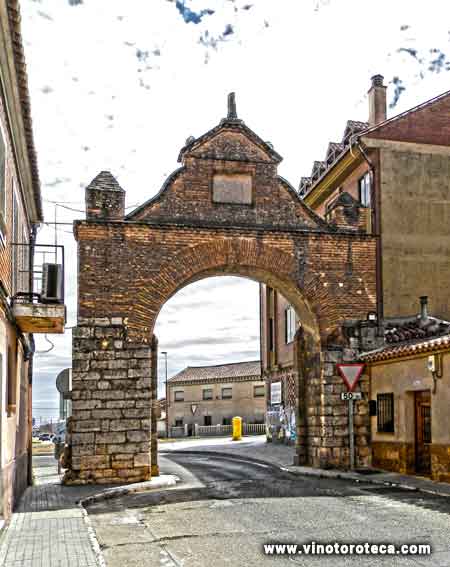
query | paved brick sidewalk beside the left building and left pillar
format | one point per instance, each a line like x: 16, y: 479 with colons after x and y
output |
x: 48, y: 528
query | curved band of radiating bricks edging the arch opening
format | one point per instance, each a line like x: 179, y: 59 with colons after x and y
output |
x: 239, y: 256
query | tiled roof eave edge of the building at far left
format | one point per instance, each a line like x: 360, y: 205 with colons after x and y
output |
x: 22, y: 80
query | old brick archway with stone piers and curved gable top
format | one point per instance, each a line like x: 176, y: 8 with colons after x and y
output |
x: 225, y: 211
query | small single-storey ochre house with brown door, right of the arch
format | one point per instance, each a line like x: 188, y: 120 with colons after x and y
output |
x: 410, y: 397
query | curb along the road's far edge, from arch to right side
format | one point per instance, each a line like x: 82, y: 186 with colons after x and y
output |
x: 319, y: 473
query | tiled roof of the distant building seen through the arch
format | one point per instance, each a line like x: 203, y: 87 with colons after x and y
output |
x: 219, y: 372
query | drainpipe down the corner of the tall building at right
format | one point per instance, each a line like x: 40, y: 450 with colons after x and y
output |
x: 376, y: 231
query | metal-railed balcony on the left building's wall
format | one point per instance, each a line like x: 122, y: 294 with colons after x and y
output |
x: 38, y: 288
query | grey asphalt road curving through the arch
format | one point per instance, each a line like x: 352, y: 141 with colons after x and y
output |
x: 225, y: 510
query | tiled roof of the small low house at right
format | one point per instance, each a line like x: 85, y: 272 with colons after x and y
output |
x: 410, y: 337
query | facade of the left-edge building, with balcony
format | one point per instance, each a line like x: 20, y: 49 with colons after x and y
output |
x: 22, y: 311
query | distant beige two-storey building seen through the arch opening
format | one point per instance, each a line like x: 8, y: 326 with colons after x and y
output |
x: 213, y: 395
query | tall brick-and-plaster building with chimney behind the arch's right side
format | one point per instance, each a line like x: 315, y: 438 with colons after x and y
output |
x: 391, y: 177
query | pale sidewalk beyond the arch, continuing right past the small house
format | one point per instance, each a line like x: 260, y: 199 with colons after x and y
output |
x: 283, y: 456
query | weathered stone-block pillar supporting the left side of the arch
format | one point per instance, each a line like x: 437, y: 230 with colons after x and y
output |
x: 111, y: 404
